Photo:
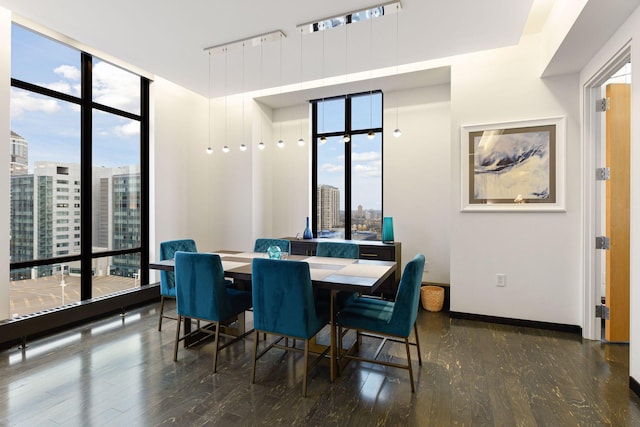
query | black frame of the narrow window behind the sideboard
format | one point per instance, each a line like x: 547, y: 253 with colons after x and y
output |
x: 347, y: 154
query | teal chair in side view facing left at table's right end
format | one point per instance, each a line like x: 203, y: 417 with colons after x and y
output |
x: 392, y: 320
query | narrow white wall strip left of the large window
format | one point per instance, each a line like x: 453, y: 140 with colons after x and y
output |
x: 5, y: 189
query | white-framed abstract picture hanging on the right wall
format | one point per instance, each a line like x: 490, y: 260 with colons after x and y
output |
x: 514, y: 166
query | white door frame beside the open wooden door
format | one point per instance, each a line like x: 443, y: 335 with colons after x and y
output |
x: 592, y: 132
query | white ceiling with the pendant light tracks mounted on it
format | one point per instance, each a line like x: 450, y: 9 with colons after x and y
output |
x: 167, y: 38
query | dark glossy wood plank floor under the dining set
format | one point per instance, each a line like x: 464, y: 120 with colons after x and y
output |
x: 120, y: 372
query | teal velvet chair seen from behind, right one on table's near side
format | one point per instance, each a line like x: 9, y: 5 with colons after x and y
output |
x: 283, y: 305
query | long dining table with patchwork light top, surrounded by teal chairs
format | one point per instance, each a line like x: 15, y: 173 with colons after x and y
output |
x: 335, y: 274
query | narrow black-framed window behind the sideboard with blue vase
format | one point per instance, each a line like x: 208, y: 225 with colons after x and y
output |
x: 347, y: 166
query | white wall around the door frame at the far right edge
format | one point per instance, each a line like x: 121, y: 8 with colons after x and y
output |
x: 628, y: 33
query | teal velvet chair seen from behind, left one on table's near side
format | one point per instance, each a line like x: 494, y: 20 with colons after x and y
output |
x: 202, y: 295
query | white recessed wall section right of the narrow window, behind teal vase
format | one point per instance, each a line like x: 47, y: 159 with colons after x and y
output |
x: 416, y: 170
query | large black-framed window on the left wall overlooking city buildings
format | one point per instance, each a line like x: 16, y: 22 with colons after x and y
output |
x: 79, y: 141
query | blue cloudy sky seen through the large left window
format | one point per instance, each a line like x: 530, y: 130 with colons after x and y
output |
x: 51, y: 126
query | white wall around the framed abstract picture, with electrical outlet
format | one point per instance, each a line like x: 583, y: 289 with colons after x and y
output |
x: 539, y: 252
